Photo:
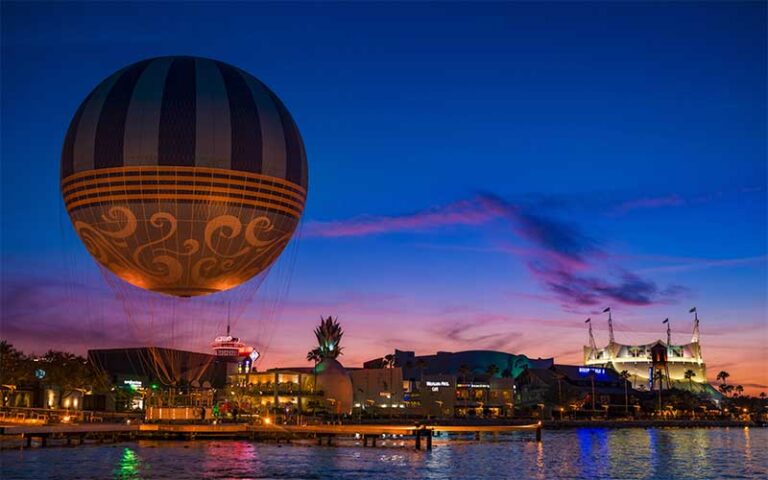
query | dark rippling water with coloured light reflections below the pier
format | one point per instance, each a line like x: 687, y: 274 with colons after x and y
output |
x: 588, y: 453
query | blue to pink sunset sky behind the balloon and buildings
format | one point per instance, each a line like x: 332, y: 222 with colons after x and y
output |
x: 481, y: 176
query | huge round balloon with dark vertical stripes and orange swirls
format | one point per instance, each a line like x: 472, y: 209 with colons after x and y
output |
x: 184, y: 175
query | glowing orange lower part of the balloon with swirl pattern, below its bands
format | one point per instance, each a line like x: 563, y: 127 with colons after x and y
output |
x: 183, y: 247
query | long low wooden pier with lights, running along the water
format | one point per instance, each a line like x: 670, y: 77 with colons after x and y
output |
x: 324, y: 434
